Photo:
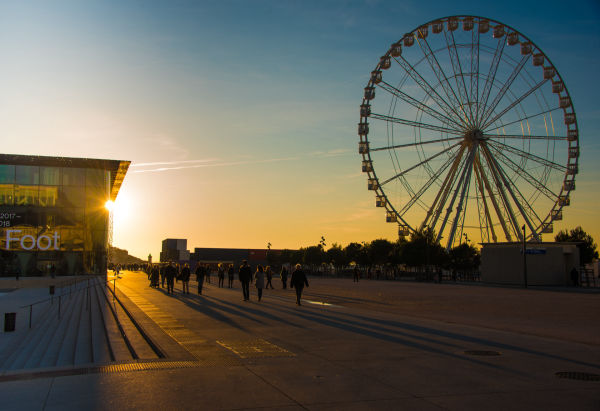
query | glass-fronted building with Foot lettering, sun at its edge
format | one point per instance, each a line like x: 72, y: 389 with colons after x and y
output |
x: 53, y: 218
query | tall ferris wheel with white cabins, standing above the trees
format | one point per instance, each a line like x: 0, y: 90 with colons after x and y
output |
x: 466, y: 127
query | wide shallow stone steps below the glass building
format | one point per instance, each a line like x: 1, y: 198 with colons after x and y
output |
x: 84, y: 327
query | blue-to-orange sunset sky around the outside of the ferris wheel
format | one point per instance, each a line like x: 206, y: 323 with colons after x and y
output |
x: 239, y: 117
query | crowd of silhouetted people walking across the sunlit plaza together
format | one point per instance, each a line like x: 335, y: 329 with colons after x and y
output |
x: 262, y: 277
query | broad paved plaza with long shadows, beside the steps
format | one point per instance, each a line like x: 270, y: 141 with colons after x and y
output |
x: 351, y: 346
